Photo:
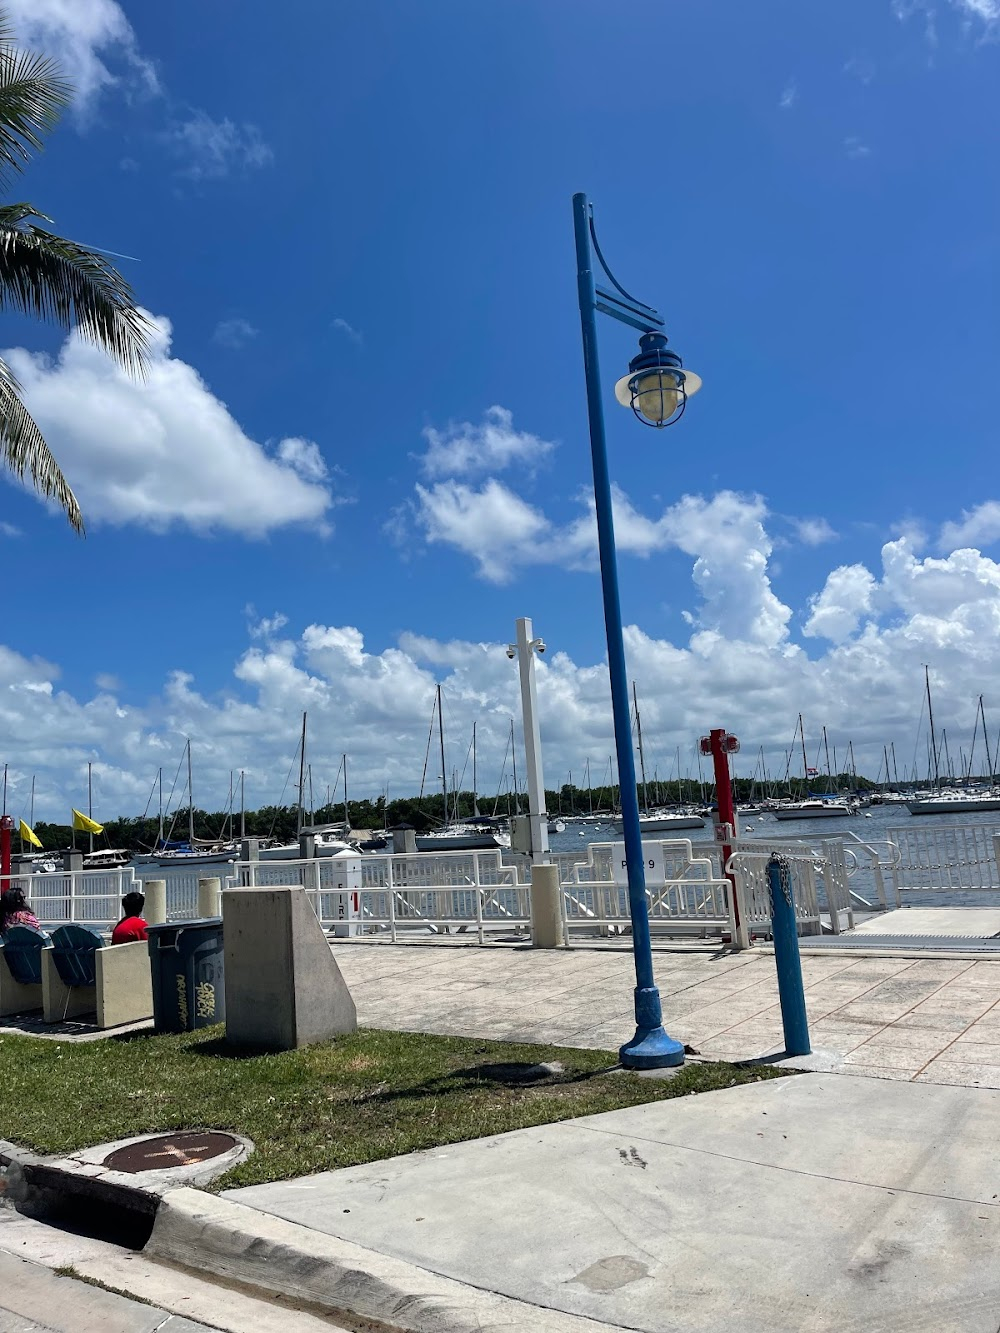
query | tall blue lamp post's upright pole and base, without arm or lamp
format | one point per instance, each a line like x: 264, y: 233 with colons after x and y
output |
x: 651, y: 1047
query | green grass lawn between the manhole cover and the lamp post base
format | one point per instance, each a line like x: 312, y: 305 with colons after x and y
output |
x: 354, y: 1100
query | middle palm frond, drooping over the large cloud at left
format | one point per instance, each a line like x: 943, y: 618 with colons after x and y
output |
x: 55, y: 279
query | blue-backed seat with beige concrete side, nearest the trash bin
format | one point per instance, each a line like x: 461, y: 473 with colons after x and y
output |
x: 81, y: 974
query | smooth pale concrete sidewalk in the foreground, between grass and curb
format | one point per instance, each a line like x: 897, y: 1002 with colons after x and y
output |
x: 814, y: 1203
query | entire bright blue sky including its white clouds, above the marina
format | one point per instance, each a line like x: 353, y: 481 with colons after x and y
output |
x: 367, y: 414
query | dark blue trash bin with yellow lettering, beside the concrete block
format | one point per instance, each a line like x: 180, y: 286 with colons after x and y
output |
x: 186, y: 959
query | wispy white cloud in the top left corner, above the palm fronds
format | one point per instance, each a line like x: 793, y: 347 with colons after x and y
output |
x: 91, y: 39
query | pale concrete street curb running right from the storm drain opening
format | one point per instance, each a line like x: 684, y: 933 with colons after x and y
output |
x: 241, y: 1244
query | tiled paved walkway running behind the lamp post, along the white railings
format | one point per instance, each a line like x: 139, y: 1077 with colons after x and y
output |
x: 929, y: 1020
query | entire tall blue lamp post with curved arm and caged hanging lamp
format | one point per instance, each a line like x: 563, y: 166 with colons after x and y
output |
x: 657, y: 389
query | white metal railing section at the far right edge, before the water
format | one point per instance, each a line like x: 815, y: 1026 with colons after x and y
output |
x: 945, y: 859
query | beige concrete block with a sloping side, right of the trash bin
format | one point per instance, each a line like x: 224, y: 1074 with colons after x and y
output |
x: 283, y: 987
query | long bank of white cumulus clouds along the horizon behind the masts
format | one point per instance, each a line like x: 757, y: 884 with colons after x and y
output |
x: 374, y: 700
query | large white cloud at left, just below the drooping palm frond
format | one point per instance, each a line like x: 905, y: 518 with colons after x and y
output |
x: 165, y: 451
